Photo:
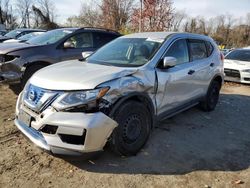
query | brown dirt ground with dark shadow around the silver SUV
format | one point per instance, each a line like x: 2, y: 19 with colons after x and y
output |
x: 192, y: 149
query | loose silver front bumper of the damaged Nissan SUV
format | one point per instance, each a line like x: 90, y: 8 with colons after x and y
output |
x: 67, y: 133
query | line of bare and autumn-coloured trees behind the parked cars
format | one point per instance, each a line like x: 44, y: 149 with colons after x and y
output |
x: 127, y: 16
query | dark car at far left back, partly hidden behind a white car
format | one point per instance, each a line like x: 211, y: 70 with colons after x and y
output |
x: 14, y: 34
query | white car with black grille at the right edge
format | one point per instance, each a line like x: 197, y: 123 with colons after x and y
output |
x: 237, y: 66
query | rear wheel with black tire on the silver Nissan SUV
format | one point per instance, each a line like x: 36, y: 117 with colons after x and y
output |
x: 212, y: 97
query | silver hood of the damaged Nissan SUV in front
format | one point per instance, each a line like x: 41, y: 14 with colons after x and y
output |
x: 77, y: 75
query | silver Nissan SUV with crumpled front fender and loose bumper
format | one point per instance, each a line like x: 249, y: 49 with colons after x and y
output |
x: 118, y: 93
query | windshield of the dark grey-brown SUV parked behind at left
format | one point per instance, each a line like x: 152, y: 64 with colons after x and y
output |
x: 50, y: 37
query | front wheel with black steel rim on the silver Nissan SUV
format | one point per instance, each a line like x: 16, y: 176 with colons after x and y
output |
x: 134, y: 125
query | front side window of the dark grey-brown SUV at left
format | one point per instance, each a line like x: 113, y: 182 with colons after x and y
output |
x: 82, y: 40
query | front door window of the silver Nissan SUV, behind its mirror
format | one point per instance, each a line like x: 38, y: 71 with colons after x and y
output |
x: 179, y: 50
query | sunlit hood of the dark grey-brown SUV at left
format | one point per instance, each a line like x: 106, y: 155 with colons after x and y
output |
x: 13, y: 46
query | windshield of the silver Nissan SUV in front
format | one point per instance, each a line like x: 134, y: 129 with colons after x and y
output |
x: 127, y: 52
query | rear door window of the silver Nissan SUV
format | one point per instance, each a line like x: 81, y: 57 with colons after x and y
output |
x: 197, y: 49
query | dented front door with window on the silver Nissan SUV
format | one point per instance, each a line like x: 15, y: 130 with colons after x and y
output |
x: 175, y: 85
